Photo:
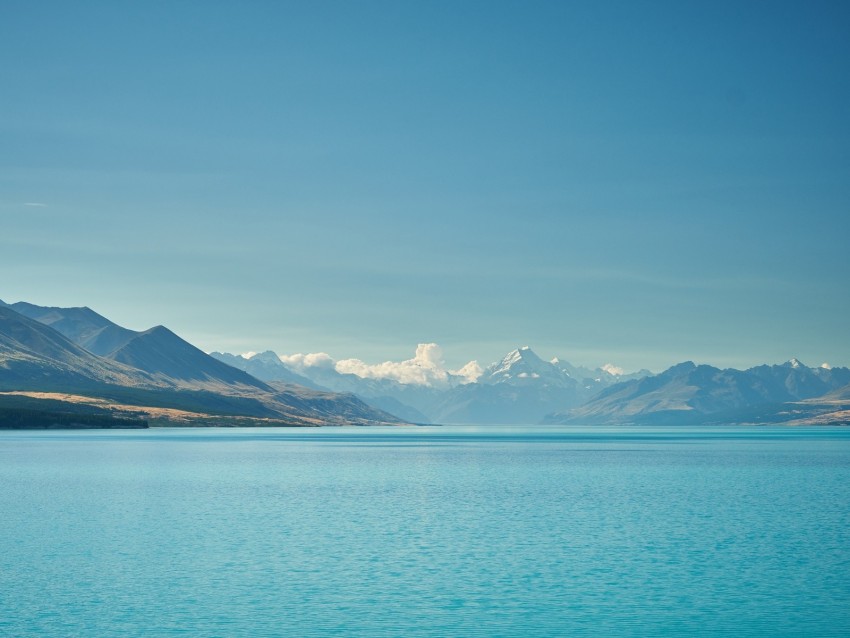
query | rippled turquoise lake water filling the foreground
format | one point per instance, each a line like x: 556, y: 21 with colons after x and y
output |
x: 425, y: 532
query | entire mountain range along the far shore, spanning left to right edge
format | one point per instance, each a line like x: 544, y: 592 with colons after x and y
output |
x: 84, y: 361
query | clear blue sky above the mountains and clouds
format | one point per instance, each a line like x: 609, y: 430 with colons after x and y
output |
x: 634, y: 183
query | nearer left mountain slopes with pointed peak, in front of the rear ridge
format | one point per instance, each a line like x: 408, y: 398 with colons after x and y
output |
x: 36, y: 358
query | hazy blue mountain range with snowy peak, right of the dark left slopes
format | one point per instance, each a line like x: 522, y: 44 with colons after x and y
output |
x: 523, y: 388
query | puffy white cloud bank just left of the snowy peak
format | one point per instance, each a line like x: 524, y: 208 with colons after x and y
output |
x: 425, y: 368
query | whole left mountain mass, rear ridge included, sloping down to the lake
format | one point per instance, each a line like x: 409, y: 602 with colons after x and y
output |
x: 43, y: 355
